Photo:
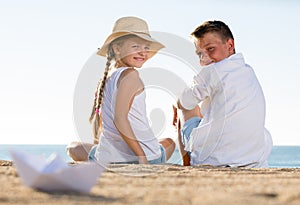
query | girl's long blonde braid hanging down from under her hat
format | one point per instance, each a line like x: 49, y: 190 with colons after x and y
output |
x: 96, y: 114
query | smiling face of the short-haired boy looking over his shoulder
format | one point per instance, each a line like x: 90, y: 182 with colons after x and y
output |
x: 212, y: 46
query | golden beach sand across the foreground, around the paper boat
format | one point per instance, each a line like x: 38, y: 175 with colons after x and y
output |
x: 166, y: 184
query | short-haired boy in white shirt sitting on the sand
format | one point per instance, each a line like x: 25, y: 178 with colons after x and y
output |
x: 230, y: 130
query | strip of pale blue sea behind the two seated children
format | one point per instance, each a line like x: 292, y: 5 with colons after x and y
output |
x: 280, y: 157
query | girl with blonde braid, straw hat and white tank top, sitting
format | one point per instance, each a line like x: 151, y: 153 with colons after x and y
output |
x: 119, y: 113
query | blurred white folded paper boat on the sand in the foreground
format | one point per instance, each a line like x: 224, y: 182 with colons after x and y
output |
x: 53, y: 174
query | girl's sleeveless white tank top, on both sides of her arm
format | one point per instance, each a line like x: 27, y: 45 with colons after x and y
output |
x: 112, y: 147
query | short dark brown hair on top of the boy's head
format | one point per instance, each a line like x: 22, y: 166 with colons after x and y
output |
x: 213, y: 26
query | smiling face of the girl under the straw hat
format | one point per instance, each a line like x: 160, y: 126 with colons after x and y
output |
x: 132, y: 52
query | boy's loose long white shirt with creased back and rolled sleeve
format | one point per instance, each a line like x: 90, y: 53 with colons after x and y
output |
x: 232, y: 130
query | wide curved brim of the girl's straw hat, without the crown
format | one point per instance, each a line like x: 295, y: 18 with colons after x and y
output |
x: 154, y: 48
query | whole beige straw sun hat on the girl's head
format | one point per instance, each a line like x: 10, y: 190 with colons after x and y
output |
x: 130, y: 25
